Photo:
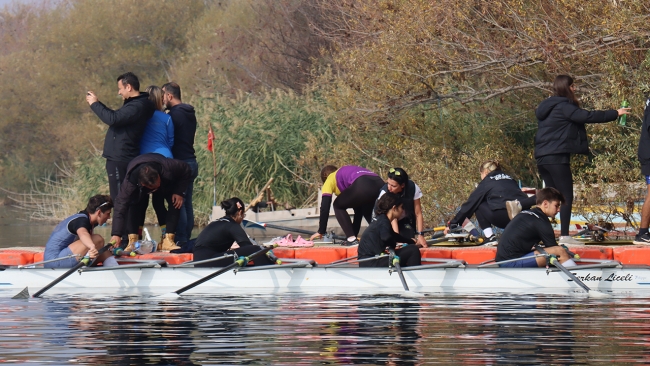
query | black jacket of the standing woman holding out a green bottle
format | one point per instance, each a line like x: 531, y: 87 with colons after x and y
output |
x: 561, y: 126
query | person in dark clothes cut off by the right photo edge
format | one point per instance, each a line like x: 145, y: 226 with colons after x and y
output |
x: 644, y: 158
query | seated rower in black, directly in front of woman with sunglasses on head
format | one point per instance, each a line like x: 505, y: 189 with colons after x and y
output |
x: 380, y: 234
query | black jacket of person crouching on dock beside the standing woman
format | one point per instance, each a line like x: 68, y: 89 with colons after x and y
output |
x: 495, y: 189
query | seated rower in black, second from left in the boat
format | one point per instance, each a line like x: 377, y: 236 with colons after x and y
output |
x: 218, y: 237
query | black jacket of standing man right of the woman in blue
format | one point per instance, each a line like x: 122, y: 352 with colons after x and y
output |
x: 184, y: 120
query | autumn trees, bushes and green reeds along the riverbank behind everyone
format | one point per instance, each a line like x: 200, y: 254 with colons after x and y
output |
x: 290, y: 85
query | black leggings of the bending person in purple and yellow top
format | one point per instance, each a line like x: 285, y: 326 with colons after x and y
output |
x: 360, y: 197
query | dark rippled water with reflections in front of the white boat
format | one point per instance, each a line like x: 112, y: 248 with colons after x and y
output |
x: 308, y: 330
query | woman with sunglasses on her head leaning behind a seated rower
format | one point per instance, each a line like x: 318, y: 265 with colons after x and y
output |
x: 398, y: 182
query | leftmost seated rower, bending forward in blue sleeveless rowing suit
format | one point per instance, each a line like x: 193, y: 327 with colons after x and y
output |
x: 74, y: 235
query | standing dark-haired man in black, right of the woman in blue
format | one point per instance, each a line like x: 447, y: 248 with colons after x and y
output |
x: 184, y: 120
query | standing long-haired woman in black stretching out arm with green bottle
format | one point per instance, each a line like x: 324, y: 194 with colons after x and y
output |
x: 560, y: 133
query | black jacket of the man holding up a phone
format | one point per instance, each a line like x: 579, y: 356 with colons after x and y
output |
x: 125, y: 126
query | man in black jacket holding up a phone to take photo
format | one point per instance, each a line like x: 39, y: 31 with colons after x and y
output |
x: 125, y: 127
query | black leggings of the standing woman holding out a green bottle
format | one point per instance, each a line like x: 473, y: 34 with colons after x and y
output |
x: 559, y: 177
